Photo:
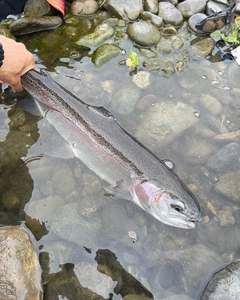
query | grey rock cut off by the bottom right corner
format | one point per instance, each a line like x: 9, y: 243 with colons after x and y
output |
x: 225, y: 284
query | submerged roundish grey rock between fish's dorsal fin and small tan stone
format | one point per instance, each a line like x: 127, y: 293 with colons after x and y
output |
x: 125, y: 99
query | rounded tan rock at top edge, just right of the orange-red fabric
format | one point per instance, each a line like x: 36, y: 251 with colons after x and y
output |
x: 84, y: 7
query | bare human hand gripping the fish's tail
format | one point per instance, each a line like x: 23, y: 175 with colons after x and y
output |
x: 17, y: 61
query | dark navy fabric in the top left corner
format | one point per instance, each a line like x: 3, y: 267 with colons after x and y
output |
x: 8, y: 7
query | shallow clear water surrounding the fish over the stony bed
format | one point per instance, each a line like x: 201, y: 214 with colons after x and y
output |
x: 81, y: 233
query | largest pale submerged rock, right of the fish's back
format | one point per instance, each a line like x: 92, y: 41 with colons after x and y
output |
x: 163, y: 122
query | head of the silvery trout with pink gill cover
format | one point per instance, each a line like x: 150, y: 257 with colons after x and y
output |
x: 178, y: 207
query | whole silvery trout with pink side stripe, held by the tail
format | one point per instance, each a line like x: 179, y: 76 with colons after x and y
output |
x: 130, y: 170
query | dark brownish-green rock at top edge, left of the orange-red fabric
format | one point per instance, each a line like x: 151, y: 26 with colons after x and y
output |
x: 37, y: 8
